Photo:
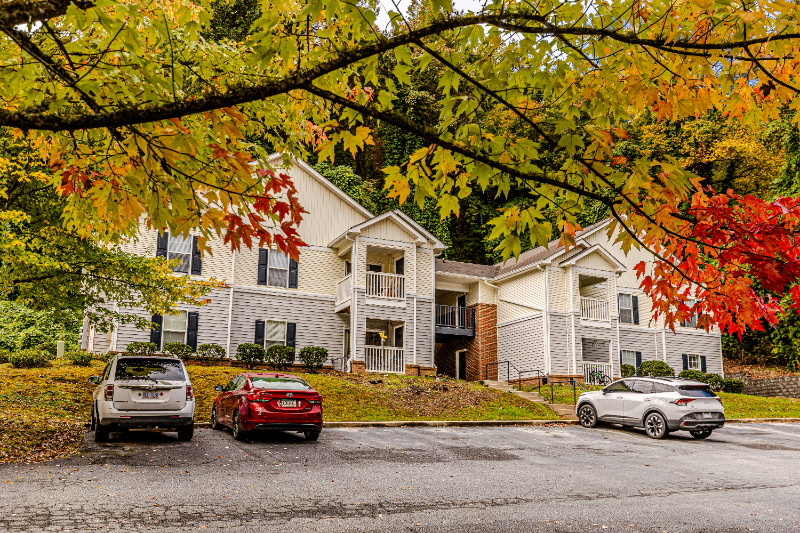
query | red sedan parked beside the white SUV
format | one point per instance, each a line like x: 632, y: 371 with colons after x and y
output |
x: 260, y: 400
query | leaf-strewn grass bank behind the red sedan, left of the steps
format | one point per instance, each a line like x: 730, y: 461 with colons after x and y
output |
x: 43, y: 410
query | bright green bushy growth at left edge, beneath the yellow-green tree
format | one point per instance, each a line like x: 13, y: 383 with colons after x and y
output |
x: 22, y: 327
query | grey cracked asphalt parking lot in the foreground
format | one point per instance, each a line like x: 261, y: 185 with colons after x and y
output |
x: 746, y: 477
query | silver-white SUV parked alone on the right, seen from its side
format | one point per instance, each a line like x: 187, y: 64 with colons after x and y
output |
x: 659, y: 405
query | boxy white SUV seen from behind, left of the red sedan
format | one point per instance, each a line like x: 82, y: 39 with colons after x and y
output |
x: 143, y: 392
